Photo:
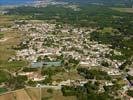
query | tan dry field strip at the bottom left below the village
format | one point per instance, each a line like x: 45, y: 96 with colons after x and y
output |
x: 35, y: 94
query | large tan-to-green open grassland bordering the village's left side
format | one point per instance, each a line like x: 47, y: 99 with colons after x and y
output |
x: 6, y: 51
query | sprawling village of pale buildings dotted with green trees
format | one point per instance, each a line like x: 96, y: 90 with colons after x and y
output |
x: 55, y: 46
